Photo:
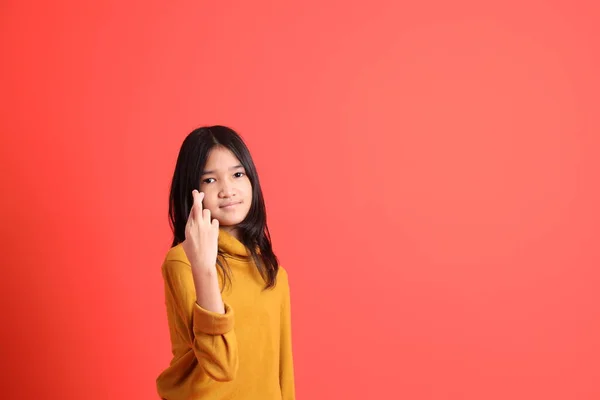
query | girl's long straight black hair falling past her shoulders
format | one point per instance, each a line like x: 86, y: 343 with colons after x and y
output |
x: 253, y: 230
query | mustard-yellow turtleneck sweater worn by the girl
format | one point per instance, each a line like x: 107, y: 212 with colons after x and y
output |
x: 245, y: 353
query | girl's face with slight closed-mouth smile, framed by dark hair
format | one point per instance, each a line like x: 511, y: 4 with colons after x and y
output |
x: 227, y: 188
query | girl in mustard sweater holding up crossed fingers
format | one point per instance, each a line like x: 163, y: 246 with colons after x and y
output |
x: 227, y: 299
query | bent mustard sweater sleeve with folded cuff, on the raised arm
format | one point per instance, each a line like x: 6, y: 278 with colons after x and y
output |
x: 210, y: 335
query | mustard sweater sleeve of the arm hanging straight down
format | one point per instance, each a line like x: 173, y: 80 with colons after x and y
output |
x: 286, y: 362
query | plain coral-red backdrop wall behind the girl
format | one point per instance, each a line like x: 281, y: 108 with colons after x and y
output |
x: 431, y: 174
